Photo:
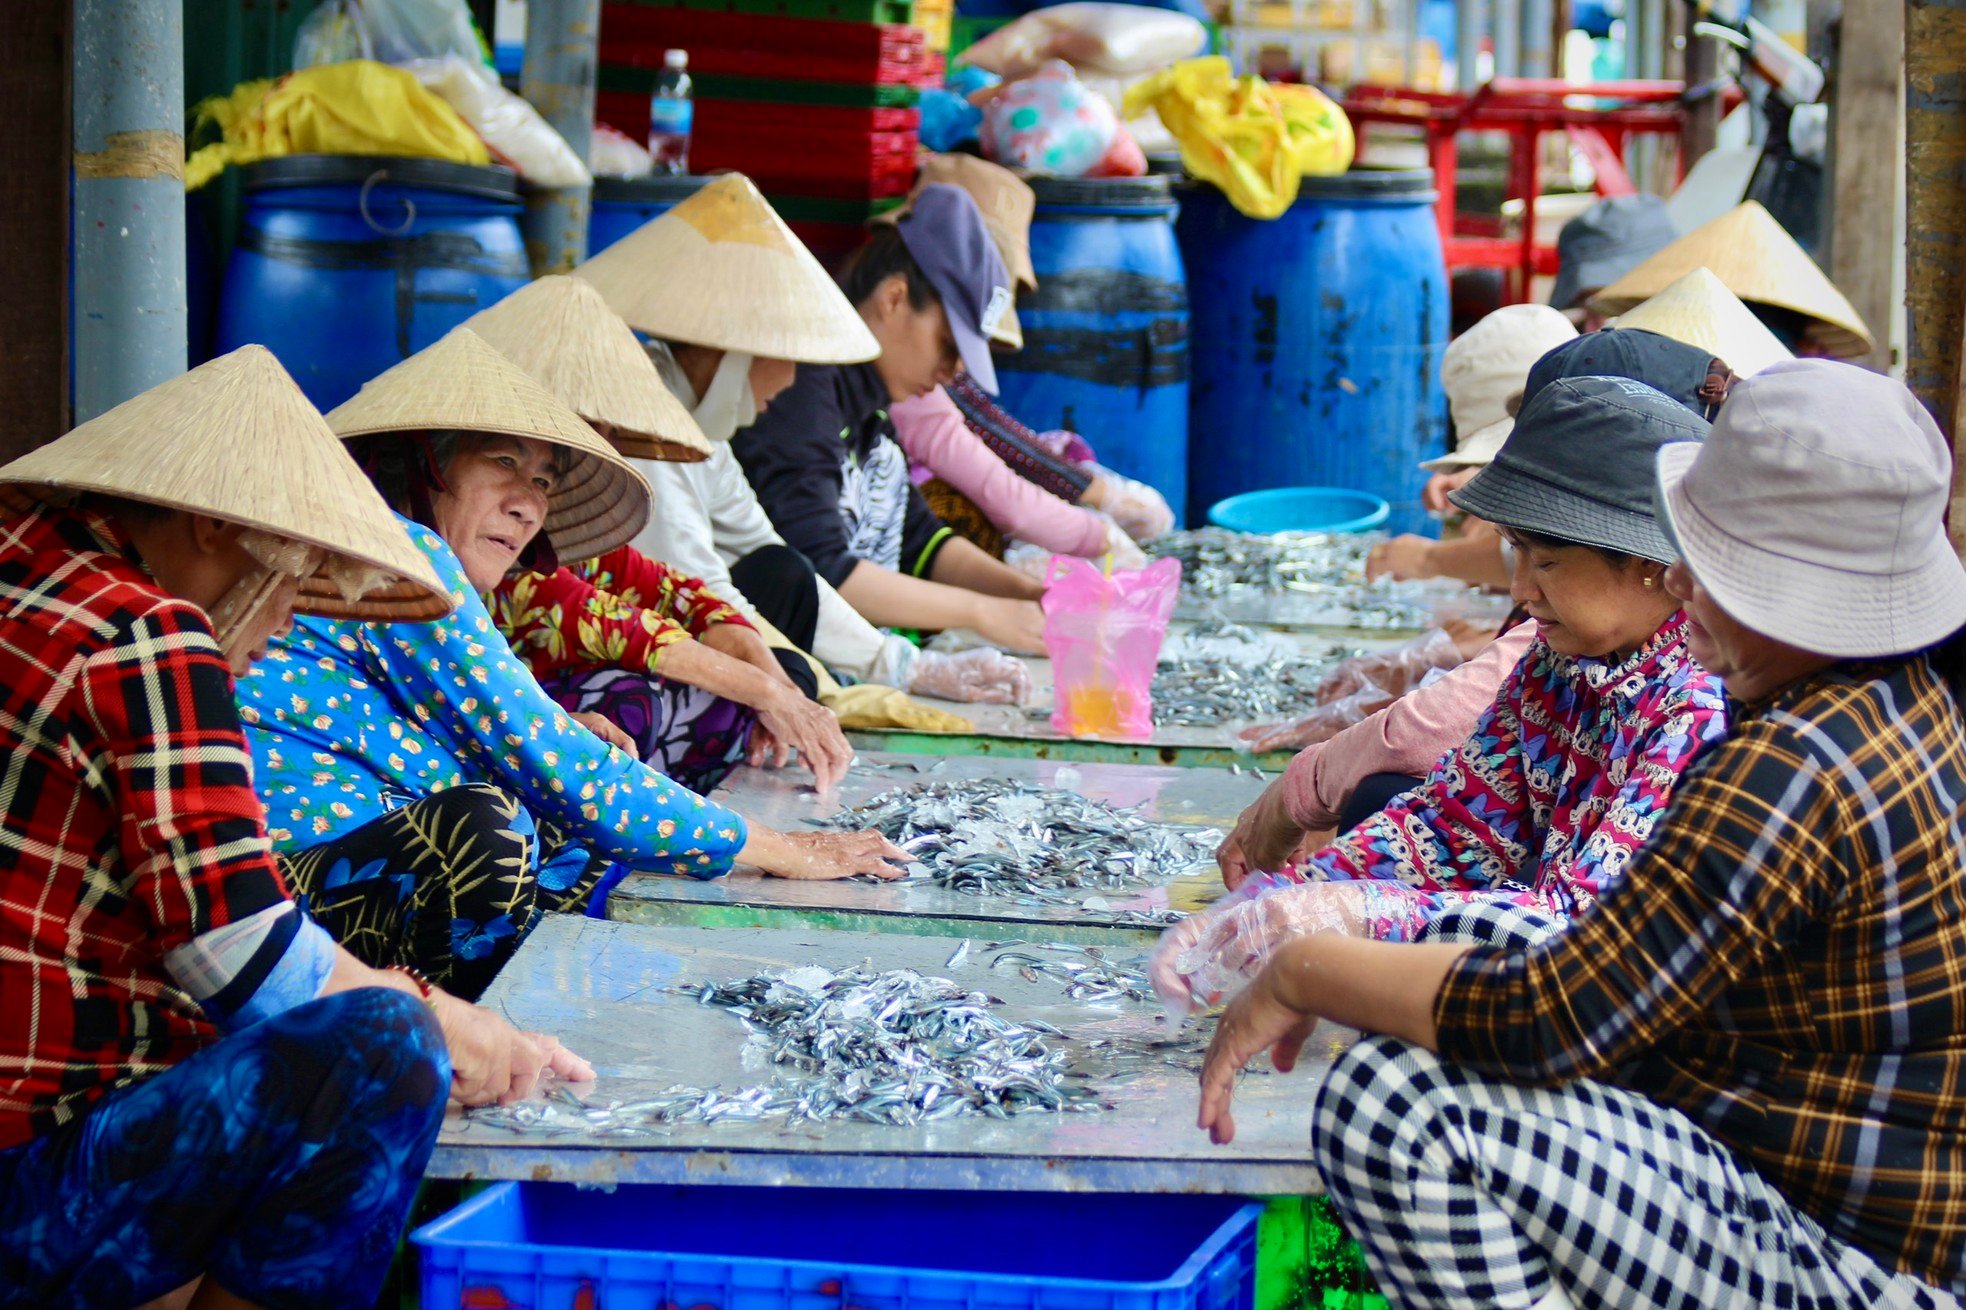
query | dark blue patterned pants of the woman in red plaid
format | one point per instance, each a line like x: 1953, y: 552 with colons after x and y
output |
x: 278, y: 1163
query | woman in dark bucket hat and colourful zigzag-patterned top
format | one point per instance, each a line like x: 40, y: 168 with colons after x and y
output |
x: 1570, y: 768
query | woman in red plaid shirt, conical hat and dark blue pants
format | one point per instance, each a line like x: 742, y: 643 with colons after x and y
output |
x: 196, y: 1081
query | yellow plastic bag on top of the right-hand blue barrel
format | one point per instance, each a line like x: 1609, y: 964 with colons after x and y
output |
x: 1251, y: 139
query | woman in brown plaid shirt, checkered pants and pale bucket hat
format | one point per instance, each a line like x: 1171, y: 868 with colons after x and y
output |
x: 1741, y: 1077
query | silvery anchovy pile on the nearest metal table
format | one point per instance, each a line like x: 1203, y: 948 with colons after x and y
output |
x: 894, y: 1047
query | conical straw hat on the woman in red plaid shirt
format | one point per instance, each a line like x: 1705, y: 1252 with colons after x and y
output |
x: 239, y: 442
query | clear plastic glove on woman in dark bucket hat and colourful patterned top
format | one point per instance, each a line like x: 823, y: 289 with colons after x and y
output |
x: 1206, y: 957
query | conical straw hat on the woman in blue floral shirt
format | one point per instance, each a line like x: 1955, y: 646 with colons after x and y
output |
x: 463, y: 385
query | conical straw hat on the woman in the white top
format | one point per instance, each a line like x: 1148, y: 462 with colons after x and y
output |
x: 723, y: 270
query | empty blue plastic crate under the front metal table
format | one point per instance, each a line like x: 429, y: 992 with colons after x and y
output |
x: 542, y: 1246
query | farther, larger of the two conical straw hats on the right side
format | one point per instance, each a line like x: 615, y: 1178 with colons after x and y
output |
x: 1759, y: 261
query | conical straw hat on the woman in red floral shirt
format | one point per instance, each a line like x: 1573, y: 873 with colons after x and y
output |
x: 561, y: 331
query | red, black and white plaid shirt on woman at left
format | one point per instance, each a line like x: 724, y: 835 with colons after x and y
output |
x: 129, y: 821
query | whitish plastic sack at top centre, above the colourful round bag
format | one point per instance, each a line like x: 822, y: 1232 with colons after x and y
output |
x: 1122, y: 40
